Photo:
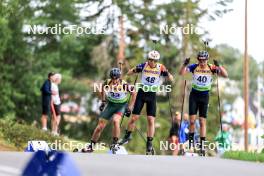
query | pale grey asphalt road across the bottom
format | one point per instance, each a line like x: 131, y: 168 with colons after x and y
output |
x: 13, y: 163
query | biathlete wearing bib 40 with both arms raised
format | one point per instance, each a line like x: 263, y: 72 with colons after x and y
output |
x: 199, y: 96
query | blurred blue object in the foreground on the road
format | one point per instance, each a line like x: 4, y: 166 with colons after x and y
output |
x: 51, y: 164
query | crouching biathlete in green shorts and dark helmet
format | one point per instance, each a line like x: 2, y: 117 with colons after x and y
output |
x: 116, y: 92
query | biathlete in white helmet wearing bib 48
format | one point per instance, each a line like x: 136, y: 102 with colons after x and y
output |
x: 151, y: 72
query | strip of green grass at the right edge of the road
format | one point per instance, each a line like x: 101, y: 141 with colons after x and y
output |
x: 245, y: 156
